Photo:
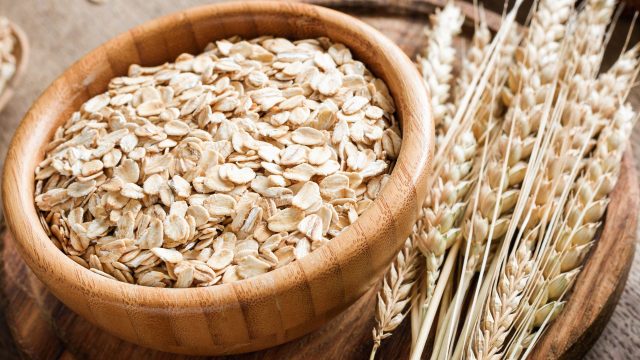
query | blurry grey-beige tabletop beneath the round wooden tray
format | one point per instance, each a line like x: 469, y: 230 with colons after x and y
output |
x: 63, y: 30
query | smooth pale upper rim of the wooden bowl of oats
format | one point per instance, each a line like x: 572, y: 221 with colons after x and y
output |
x: 39, y: 251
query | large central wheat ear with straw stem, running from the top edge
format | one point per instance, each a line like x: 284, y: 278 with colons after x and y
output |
x: 533, y: 76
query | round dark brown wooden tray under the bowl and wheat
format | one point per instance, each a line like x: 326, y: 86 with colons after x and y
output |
x: 43, y: 328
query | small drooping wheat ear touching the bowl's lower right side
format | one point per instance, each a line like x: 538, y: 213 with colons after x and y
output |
x: 394, y: 294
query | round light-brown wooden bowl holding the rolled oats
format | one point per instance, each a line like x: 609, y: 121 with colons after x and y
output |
x: 258, y: 312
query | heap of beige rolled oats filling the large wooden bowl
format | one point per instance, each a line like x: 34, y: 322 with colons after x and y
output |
x: 220, y: 166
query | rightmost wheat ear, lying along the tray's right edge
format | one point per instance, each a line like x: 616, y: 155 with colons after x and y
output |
x: 573, y: 238
